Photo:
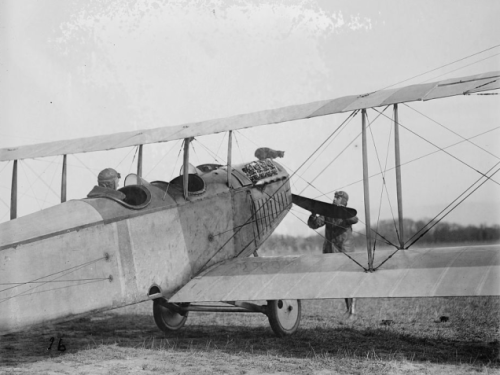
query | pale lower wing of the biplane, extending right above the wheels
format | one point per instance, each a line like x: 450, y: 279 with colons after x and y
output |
x: 460, y: 271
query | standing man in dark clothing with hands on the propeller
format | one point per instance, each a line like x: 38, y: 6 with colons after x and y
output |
x: 338, y: 234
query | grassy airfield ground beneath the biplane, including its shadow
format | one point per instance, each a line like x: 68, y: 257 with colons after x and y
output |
x: 415, y: 342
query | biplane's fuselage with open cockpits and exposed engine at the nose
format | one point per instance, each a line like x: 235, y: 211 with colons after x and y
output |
x: 98, y: 253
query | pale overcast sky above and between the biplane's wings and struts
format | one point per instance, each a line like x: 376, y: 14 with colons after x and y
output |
x: 72, y: 69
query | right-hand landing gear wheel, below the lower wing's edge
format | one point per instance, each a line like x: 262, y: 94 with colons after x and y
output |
x: 284, y: 316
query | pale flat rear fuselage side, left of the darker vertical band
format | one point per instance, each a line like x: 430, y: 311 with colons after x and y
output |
x: 59, y: 276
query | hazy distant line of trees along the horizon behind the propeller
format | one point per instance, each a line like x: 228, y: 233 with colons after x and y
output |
x: 440, y: 235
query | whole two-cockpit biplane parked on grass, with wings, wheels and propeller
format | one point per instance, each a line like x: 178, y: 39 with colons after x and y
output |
x: 189, y: 241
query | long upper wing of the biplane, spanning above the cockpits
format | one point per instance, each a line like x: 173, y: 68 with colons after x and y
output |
x: 426, y: 91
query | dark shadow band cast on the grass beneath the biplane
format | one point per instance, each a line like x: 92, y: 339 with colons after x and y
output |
x: 206, y: 334
